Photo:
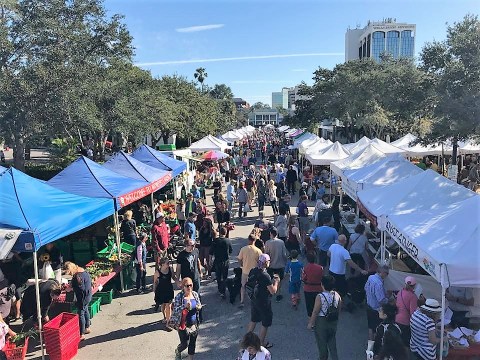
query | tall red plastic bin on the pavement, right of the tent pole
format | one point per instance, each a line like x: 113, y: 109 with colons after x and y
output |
x: 62, y: 335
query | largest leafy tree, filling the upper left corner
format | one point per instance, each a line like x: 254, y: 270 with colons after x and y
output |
x: 50, y: 50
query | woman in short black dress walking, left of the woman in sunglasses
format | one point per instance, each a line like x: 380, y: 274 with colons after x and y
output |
x: 164, y: 290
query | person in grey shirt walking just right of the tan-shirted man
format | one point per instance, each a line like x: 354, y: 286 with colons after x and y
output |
x: 277, y: 251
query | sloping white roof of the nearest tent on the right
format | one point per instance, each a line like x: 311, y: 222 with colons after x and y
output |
x: 450, y: 236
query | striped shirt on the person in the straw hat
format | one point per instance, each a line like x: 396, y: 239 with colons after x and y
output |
x: 421, y: 325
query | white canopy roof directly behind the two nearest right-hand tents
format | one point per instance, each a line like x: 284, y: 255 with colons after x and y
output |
x: 386, y: 171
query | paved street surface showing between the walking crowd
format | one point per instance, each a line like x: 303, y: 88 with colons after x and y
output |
x: 129, y: 328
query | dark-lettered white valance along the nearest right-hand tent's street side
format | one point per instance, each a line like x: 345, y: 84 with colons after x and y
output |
x: 421, y: 257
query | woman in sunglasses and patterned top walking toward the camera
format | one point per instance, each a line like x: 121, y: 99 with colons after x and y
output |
x: 185, y: 318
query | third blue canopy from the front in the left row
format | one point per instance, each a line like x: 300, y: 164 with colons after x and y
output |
x: 126, y: 165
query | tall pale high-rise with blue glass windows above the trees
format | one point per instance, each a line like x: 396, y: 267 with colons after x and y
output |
x: 387, y: 36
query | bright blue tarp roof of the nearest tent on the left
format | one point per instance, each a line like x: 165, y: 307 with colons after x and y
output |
x: 43, y: 212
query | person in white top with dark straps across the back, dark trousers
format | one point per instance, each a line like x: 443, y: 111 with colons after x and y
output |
x: 325, y: 321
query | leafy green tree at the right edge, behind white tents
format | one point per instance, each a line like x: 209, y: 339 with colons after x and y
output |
x: 454, y: 65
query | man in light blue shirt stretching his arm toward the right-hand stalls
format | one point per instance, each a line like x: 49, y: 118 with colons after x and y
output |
x: 339, y: 257
